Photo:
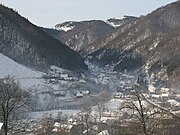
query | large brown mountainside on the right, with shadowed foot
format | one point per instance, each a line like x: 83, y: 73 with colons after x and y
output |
x: 153, y: 40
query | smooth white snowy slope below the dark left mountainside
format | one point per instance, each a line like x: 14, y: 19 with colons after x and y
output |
x: 24, y: 75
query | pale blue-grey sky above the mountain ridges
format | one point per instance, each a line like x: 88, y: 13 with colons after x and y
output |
x: 50, y: 12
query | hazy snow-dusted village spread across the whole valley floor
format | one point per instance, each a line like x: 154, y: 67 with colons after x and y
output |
x: 77, y: 108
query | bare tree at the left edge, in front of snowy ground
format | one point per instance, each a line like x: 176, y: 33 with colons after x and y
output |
x: 12, y: 97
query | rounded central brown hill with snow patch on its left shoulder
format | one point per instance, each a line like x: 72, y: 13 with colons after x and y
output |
x: 78, y: 35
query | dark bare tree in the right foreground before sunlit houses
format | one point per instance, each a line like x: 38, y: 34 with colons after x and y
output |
x: 146, y: 116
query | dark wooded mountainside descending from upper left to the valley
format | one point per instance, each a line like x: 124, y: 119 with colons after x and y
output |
x: 27, y: 44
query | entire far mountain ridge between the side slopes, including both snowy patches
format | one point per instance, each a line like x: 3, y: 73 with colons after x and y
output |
x: 80, y: 35
